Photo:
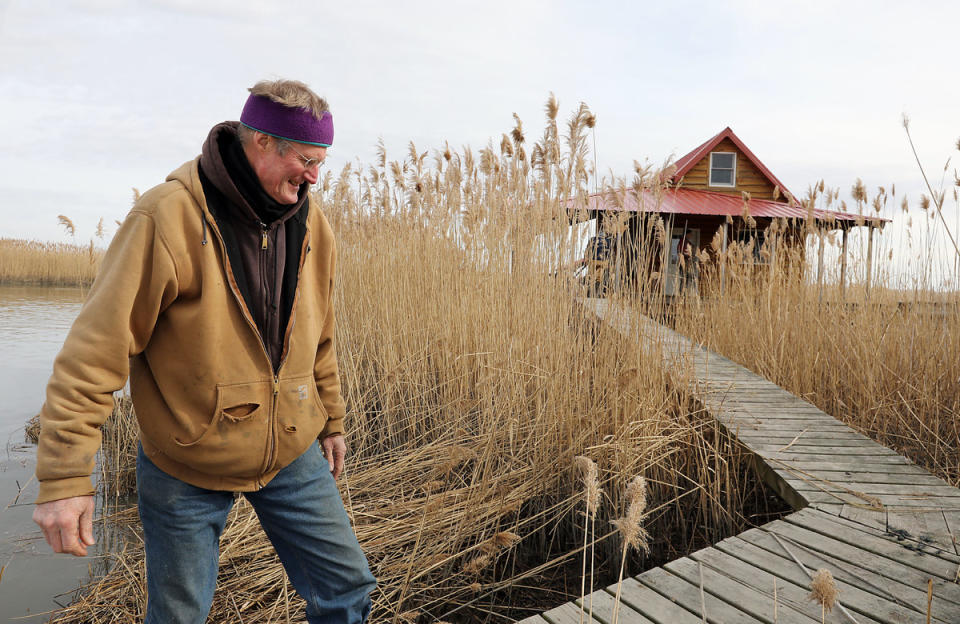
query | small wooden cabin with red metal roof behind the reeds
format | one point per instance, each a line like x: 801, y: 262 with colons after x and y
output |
x: 716, y: 195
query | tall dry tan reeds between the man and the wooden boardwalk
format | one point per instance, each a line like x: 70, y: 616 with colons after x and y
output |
x: 472, y: 383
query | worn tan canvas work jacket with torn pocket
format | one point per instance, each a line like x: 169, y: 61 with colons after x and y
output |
x: 166, y: 311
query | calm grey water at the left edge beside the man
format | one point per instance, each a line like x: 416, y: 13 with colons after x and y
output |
x: 33, y: 324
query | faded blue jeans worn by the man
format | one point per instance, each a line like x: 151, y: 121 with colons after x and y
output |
x: 300, y: 511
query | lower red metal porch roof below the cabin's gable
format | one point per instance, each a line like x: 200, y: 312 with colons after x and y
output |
x: 695, y: 202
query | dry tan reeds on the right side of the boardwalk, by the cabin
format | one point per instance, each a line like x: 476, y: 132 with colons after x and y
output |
x: 882, y: 355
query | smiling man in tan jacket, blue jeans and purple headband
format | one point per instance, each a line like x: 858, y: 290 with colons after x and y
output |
x: 216, y: 299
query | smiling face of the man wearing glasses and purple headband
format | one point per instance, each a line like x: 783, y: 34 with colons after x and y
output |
x: 281, y: 175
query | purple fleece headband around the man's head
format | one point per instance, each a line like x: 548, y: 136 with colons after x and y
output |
x: 262, y: 114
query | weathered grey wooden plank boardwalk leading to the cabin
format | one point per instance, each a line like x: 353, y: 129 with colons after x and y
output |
x: 883, y: 526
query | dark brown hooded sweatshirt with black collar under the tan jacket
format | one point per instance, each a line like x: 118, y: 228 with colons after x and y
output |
x: 263, y: 238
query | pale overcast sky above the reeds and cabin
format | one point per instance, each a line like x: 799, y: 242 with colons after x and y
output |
x: 100, y: 96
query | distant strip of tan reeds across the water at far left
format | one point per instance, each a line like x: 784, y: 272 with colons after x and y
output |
x: 48, y: 264
